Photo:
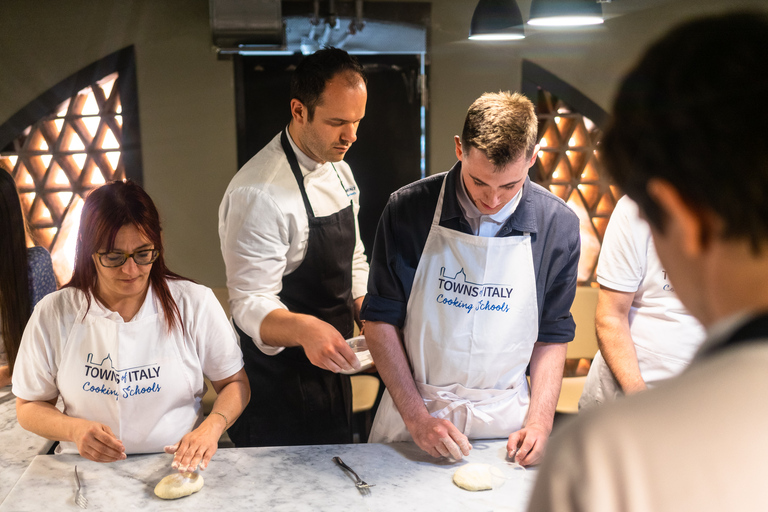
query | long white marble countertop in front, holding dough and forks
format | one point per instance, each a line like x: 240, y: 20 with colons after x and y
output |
x: 294, y: 478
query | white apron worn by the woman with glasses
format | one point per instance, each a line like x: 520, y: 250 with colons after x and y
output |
x: 129, y: 376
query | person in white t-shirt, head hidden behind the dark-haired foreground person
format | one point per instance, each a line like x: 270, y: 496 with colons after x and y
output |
x: 645, y: 334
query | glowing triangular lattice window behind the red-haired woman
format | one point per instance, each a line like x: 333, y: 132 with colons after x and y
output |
x: 61, y: 158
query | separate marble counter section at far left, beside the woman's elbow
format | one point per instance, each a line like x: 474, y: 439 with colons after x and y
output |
x: 17, y: 446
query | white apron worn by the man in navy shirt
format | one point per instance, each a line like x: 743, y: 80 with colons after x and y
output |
x: 471, y: 324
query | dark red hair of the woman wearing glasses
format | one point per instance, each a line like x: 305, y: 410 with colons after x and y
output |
x: 106, y: 210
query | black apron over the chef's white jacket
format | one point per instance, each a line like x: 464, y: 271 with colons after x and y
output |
x: 293, y: 402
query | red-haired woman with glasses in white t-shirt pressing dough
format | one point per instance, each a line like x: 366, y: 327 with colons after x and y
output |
x: 126, y: 345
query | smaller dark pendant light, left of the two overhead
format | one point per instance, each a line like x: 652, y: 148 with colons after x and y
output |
x: 496, y: 20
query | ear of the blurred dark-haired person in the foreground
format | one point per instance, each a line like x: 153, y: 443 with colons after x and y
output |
x: 693, y: 227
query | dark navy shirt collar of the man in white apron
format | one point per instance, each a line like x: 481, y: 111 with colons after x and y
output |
x: 523, y: 219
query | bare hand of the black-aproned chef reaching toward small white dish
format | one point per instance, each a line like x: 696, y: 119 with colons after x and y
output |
x: 327, y: 349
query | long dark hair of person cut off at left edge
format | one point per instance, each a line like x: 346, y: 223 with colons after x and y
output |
x: 15, y: 305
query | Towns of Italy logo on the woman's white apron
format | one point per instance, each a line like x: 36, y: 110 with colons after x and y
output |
x: 105, y: 372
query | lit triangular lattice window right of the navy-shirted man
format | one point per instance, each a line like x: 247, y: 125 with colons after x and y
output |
x: 569, y: 166
